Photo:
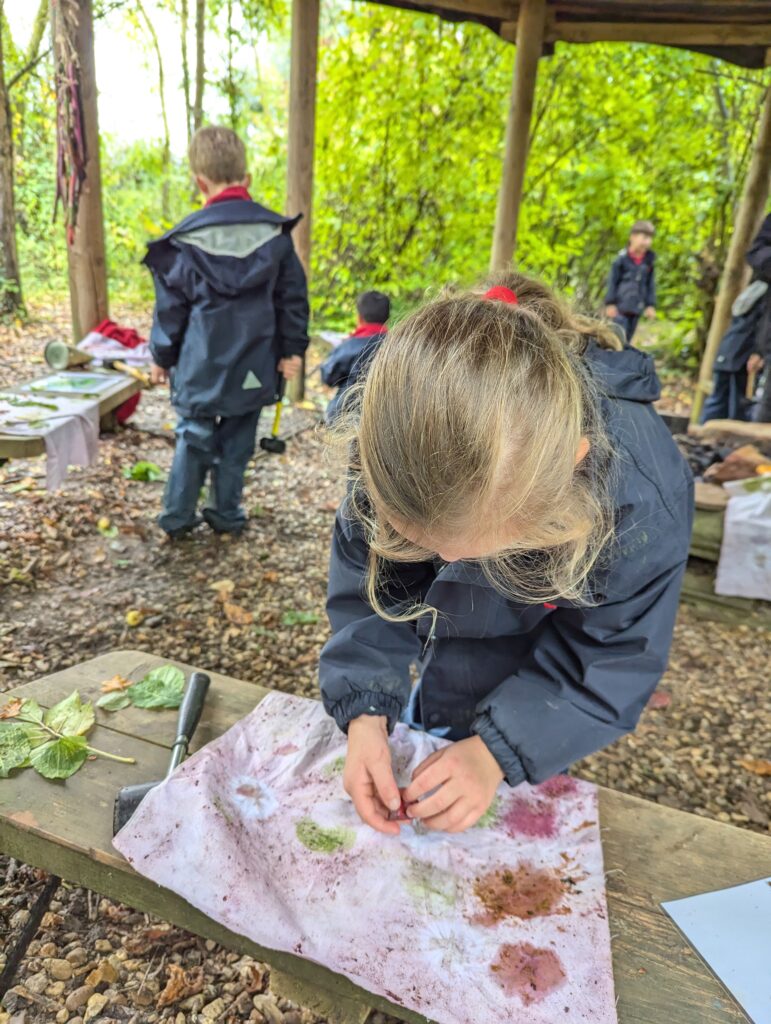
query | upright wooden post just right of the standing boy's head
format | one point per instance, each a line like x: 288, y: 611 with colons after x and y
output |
x: 303, y: 100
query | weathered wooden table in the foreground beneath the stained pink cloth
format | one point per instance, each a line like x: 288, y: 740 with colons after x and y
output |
x: 653, y: 854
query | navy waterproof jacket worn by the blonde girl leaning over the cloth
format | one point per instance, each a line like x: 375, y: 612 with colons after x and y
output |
x: 543, y: 687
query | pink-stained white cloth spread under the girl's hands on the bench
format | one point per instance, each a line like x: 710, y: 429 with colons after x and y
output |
x: 494, y: 925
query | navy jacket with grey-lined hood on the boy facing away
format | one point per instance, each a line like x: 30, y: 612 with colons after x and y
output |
x: 231, y: 303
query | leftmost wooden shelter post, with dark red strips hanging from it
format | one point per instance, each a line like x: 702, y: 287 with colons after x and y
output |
x: 89, y: 277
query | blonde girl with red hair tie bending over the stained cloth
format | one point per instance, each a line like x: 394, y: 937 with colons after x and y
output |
x: 518, y: 527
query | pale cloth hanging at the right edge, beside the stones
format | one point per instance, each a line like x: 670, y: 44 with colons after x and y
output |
x: 745, y: 566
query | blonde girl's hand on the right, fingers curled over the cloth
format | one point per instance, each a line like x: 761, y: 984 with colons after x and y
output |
x: 467, y: 777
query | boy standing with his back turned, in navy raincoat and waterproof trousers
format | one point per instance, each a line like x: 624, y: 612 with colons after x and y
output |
x: 232, y: 315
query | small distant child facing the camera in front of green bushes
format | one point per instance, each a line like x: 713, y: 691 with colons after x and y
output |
x: 632, y: 288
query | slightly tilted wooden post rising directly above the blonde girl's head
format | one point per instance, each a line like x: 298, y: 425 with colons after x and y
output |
x: 531, y: 26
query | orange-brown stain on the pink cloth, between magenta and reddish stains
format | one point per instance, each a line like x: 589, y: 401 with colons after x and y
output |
x: 522, y: 892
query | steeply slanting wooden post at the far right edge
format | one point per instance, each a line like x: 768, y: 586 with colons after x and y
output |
x: 753, y: 201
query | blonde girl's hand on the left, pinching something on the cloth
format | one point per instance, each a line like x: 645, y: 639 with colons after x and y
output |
x: 369, y: 778
